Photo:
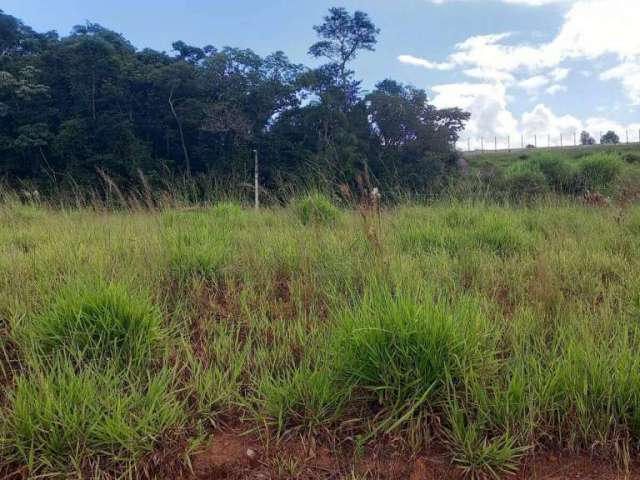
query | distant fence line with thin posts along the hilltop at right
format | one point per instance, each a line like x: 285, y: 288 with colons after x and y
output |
x: 497, y: 143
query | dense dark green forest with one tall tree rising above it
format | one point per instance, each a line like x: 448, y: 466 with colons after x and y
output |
x: 75, y: 107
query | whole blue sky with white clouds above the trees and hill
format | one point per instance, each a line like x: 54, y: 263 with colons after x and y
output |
x: 523, y: 68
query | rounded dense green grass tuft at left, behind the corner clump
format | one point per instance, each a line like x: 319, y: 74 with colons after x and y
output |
x: 97, y: 322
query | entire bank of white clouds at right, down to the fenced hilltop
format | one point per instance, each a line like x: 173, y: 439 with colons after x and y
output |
x: 496, y: 63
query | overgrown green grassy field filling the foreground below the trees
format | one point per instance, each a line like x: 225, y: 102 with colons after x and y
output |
x: 487, y: 332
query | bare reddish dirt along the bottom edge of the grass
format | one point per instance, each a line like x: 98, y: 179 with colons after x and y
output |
x: 237, y: 457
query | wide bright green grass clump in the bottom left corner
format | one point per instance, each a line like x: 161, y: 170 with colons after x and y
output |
x: 63, y: 421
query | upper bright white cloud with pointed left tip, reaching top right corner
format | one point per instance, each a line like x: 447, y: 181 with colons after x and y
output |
x: 591, y: 29
